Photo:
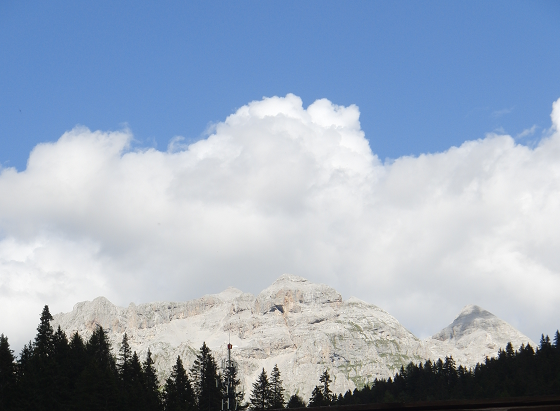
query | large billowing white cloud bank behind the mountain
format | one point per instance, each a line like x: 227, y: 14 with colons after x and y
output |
x: 279, y: 188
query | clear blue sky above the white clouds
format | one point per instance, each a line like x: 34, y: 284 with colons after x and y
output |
x: 425, y: 75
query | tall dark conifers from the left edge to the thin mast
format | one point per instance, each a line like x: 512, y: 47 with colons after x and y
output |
x: 57, y: 373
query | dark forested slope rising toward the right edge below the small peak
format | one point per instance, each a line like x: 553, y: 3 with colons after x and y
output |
x: 513, y: 373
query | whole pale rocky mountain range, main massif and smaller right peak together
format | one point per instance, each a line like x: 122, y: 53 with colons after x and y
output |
x: 301, y: 326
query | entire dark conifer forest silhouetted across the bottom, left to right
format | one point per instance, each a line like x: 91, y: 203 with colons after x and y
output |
x: 55, y: 372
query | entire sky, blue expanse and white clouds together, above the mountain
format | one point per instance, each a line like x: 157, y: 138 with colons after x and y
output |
x: 406, y: 153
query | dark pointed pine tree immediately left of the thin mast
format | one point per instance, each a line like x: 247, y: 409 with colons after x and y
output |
x: 207, y: 384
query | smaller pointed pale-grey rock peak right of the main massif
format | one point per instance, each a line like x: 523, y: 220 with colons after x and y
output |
x: 474, y: 335
